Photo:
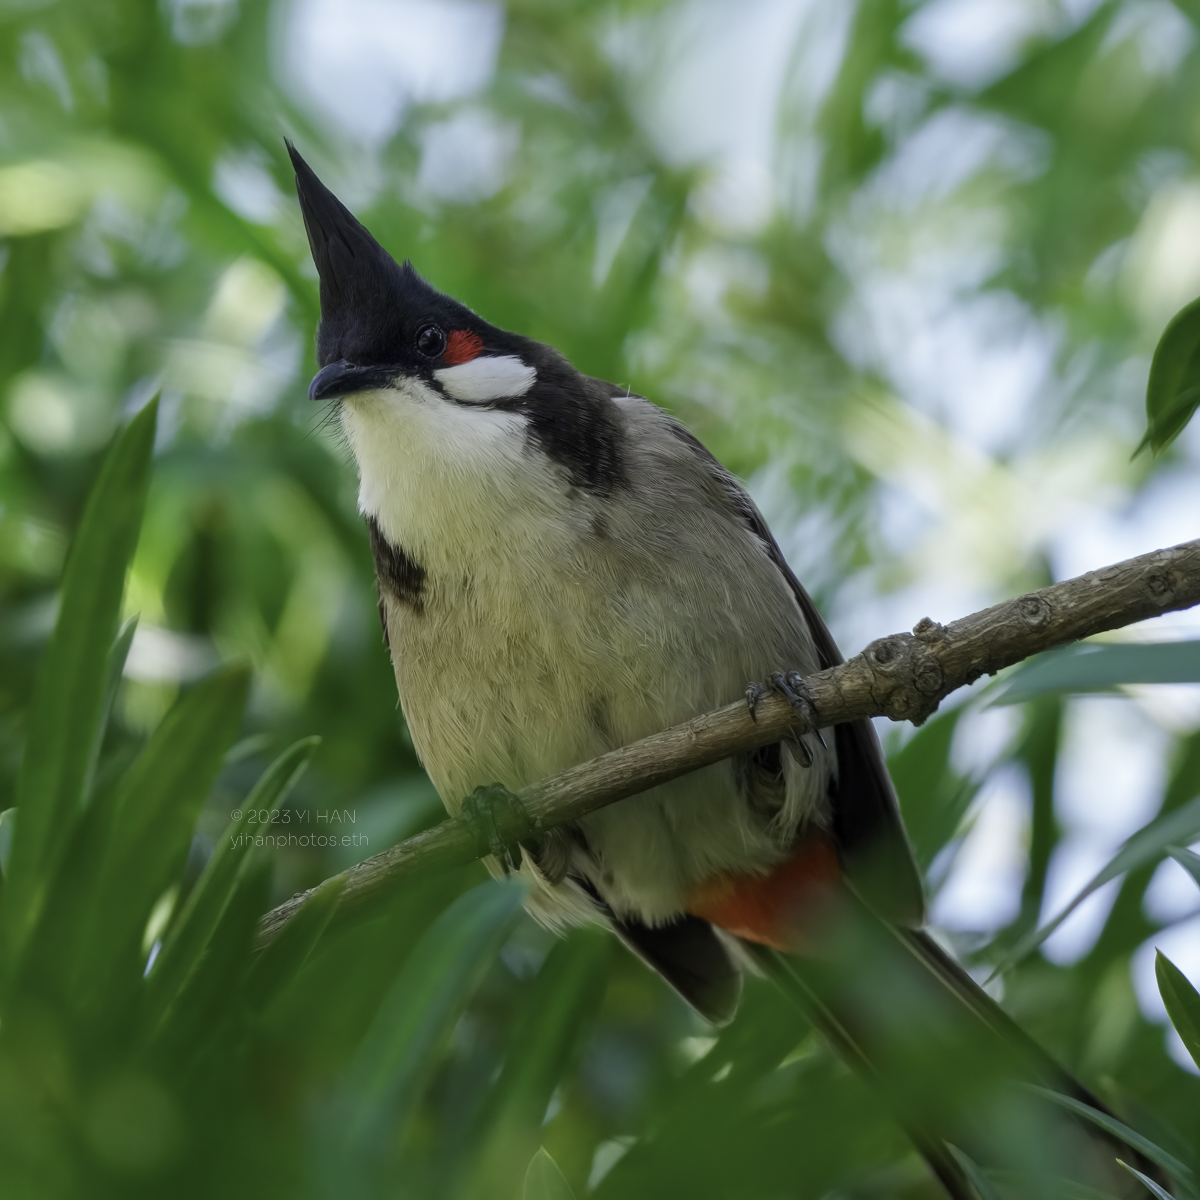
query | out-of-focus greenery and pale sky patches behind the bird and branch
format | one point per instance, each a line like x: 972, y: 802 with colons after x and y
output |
x: 902, y: 266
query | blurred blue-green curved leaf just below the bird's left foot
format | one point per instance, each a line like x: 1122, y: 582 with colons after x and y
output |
x: 400, y: 1051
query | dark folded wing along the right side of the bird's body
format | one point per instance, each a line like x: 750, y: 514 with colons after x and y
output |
x: 869, y: 831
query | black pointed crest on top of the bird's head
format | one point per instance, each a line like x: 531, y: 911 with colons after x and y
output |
x: 361, y: 283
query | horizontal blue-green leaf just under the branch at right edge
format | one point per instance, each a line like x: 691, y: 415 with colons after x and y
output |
x: 1101, y: 668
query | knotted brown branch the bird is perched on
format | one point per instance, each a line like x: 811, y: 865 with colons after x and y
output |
x: 904, y: 677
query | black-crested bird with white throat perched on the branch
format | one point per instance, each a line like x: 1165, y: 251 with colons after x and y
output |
x: 563, y: 569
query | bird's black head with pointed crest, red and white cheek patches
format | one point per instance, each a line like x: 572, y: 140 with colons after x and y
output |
x: 385, y: 331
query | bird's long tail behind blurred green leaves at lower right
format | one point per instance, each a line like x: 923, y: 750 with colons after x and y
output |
x: 991, y: 1112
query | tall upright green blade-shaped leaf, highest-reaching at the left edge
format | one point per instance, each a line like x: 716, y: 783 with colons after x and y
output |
x: 74, y: 681
